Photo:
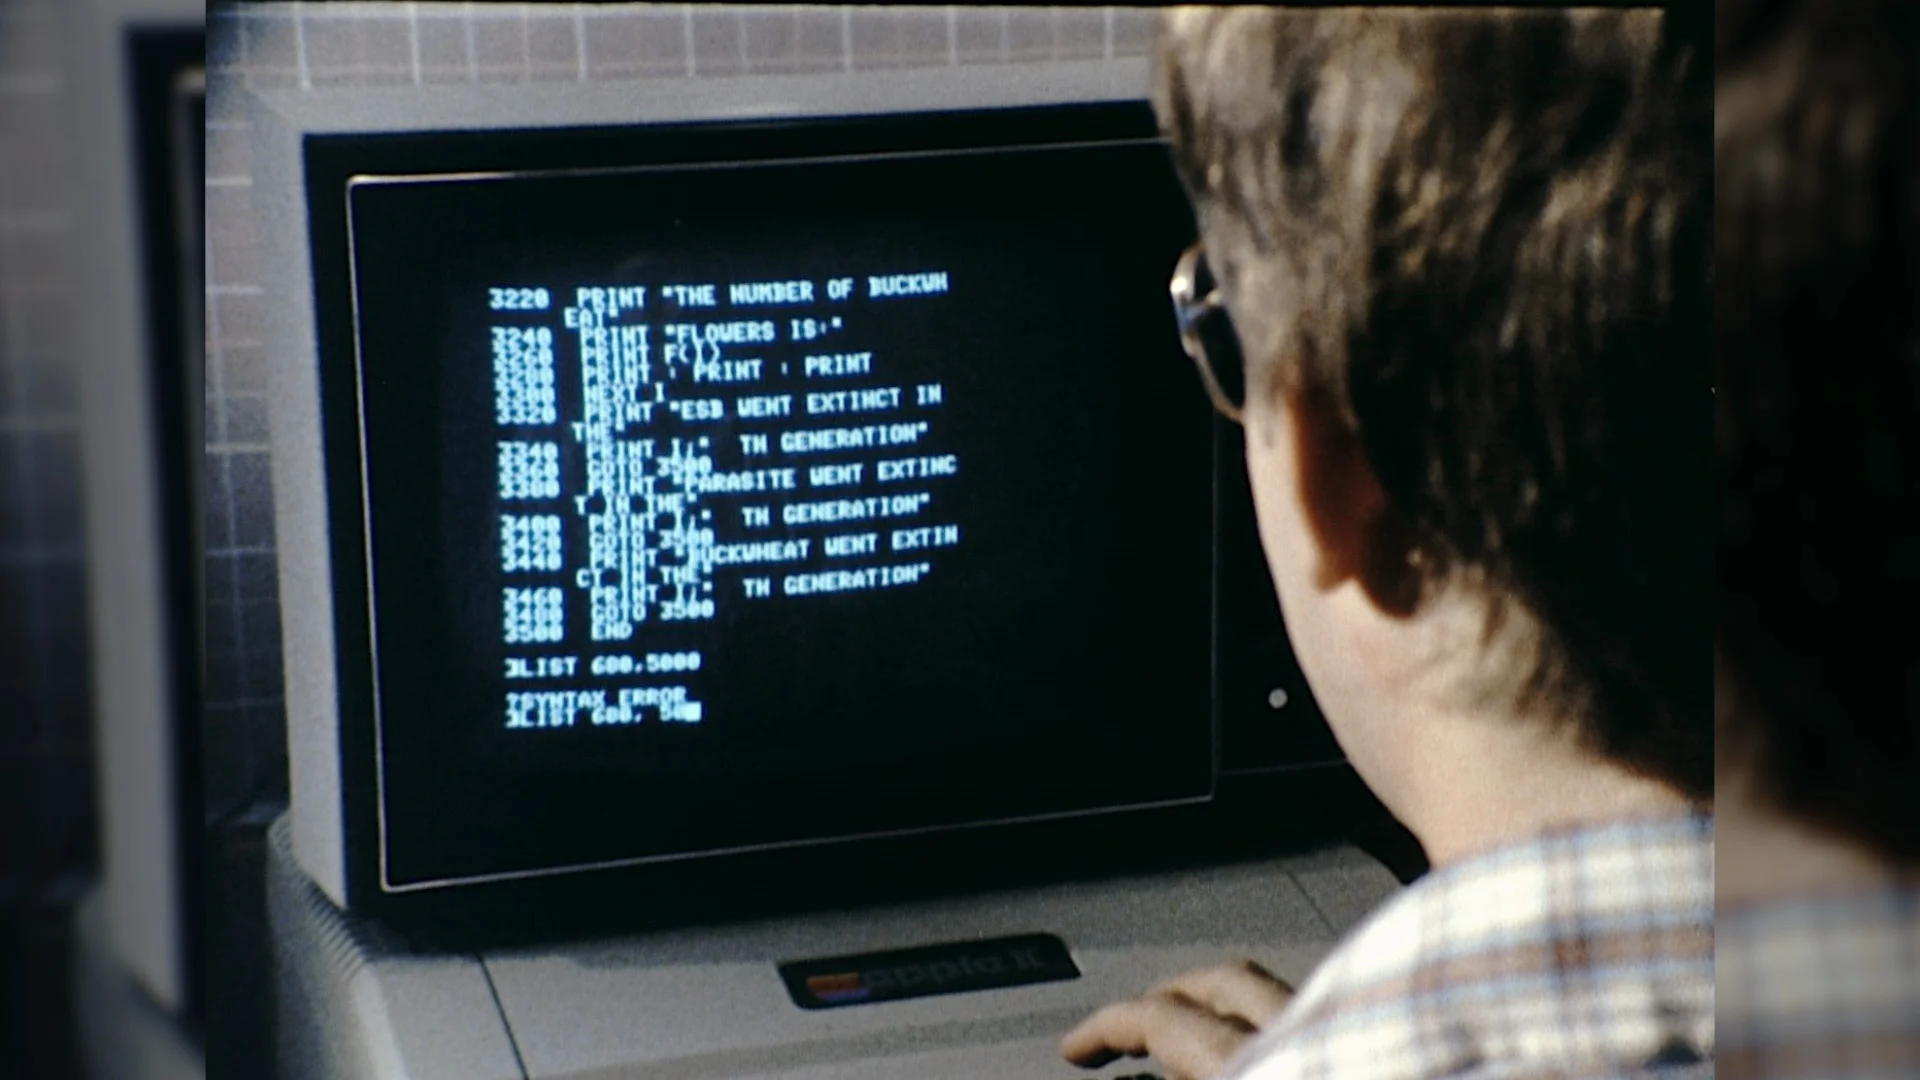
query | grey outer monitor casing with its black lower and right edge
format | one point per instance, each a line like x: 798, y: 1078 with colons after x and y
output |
x: 1274, y: 795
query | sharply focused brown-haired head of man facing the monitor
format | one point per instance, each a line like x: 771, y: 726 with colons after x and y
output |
x: 1468, y: 260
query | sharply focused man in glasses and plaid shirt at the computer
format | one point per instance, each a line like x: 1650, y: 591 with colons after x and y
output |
x: 1466, y: 262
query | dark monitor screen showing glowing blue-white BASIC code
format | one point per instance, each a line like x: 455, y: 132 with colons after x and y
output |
x: 725, y: 499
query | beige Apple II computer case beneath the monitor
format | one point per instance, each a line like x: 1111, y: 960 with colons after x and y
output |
x: 711, y: 1004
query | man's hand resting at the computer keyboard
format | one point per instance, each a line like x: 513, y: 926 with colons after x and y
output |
x: 1191, y: 1025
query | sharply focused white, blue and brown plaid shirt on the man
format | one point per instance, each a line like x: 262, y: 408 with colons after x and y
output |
x: 1579, y: 954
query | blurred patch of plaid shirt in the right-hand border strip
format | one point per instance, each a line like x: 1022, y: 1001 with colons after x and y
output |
x: 1823, y: 987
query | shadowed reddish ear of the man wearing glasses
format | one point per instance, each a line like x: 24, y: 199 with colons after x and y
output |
x: 1358, y: 535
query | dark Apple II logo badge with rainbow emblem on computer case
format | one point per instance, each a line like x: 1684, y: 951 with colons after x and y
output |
x: 900, y: 975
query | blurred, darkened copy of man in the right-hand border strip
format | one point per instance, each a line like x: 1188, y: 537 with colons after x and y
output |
x: 1817, y: 205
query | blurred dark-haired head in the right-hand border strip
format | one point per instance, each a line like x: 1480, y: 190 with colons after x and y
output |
x: 1817, y: 224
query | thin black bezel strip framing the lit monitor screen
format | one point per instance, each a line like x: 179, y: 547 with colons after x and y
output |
x: 337, y: 164
